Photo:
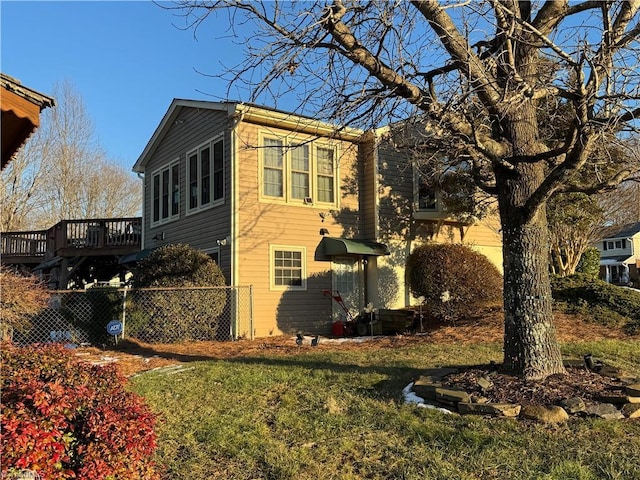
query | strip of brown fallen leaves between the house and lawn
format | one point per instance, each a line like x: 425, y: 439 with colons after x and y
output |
x: 134, y: 357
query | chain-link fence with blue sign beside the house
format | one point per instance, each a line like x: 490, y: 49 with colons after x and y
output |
x: 151, y: 315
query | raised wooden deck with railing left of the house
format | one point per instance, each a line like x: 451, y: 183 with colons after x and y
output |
x: 72, y: 238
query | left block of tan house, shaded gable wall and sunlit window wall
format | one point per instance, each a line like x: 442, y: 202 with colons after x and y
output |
x: 287, y: 183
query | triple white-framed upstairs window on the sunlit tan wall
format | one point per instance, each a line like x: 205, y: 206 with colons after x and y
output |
x: 298, y: 172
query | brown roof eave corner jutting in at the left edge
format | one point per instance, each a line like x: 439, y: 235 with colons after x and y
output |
x: 21, y: 107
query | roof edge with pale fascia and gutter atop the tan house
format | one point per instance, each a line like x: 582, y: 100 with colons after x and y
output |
x: 248, y: 112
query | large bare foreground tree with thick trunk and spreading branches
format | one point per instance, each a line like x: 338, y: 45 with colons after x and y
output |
x: 477, y: 72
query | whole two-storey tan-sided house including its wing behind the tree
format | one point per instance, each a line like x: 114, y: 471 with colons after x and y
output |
x: 291, y: 206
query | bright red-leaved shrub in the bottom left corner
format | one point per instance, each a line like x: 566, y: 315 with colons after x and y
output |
x: 63, y: 418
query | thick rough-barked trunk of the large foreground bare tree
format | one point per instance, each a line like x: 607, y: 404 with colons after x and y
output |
x: 531, y: 349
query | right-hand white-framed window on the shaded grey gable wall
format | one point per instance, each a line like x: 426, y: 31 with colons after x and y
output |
x: 205, y: 173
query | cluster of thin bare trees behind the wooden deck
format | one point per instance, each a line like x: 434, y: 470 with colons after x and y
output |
x: 63, y: 173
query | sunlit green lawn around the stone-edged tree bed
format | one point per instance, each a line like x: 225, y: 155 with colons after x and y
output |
x: 325, y: 414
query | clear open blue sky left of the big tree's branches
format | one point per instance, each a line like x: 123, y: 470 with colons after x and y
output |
x: 126, y: 59
